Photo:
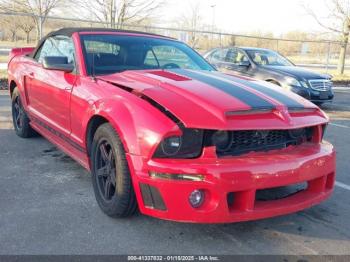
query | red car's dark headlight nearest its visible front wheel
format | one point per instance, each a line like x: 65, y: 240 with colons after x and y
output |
x: 189, y: 145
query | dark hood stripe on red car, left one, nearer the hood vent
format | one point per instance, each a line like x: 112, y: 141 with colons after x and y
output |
x: 249, y: 98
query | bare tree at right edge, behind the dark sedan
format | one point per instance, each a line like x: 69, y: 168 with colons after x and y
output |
x: 338, y: 21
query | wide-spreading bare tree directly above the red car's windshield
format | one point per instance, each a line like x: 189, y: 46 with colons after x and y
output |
x: 116, y: 14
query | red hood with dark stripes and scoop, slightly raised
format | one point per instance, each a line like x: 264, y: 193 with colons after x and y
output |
x: 212, y: 100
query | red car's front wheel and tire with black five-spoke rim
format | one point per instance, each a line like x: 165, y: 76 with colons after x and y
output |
x: 111, y: 177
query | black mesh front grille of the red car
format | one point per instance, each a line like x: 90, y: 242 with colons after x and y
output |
x: 242, y: 142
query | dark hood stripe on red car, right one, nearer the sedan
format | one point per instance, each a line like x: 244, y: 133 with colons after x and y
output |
x: 282, y: 98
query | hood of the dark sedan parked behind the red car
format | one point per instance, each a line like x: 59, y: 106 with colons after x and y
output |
x: 297, y: 72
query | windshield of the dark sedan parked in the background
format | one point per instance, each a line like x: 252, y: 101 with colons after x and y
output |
x: 268, y: 58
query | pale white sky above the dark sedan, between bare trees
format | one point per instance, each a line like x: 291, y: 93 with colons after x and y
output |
x: 244, y: 16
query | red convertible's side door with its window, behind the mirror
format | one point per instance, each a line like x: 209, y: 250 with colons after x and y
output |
x: 49, y: 91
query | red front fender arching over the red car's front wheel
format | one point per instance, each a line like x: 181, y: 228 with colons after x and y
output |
x: 140, y: 126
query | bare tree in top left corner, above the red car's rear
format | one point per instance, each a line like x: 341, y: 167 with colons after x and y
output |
x: 38, y: 10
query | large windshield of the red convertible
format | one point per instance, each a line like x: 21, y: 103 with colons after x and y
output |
x: 108, y: 53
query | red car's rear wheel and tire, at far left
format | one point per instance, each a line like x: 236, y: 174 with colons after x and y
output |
x: 20, y: 118
